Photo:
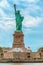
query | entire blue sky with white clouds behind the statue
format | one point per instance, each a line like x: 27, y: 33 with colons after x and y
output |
x: 32, y: 10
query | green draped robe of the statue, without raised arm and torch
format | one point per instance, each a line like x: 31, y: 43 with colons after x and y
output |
x: 19, y: 20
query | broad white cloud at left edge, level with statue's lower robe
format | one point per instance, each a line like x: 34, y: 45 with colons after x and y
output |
x: 7, y: 24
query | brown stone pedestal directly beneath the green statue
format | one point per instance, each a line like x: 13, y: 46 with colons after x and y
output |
x: 18, y: 40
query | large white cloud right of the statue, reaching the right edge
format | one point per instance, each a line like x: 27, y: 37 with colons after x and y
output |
x: 30, y: 21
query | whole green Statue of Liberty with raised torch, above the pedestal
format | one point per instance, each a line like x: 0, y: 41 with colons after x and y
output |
x: 18, y: 19
